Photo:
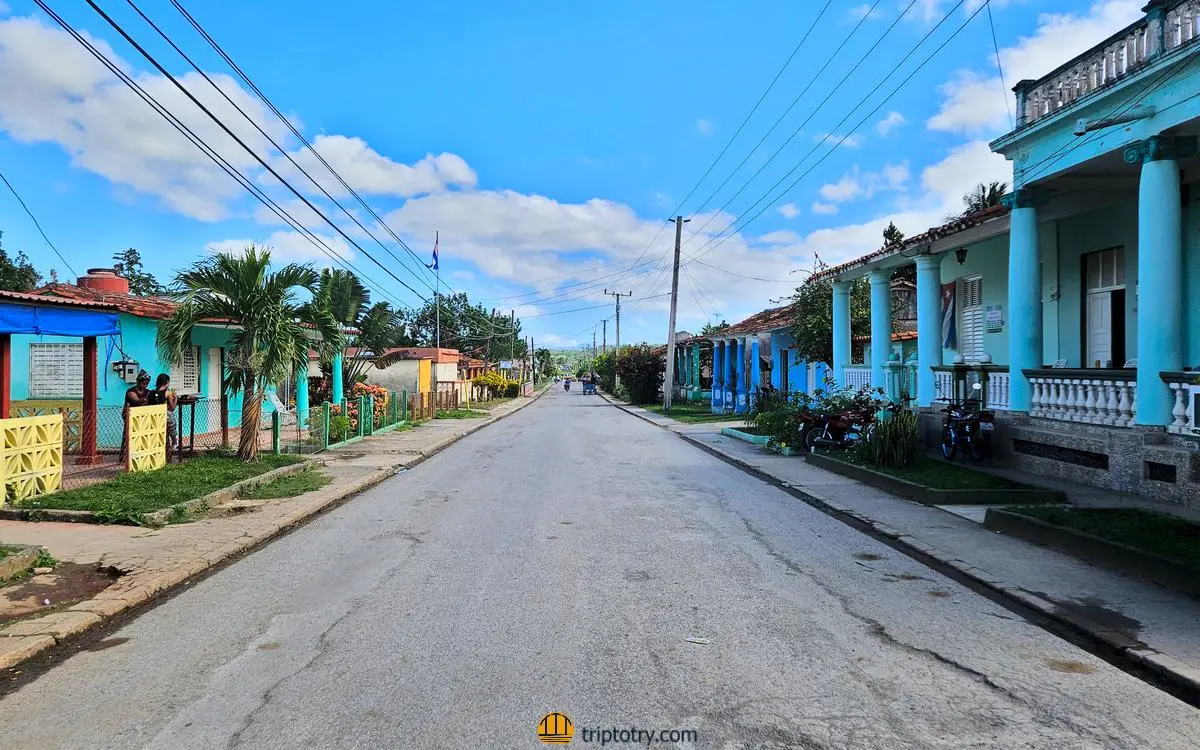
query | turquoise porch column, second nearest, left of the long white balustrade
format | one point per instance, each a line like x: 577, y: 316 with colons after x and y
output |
x: 1024, y: 297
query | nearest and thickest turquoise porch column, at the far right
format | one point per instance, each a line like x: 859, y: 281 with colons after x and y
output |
x: 1161, y: 273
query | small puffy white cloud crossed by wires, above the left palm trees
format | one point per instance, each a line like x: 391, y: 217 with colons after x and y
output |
x: 369, y: 172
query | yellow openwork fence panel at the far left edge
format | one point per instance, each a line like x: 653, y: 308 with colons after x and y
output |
x: 31, y: 457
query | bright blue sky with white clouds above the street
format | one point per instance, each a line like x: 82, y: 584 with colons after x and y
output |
x: 547, y: 142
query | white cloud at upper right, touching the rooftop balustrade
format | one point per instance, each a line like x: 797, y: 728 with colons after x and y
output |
x: 977, y: 103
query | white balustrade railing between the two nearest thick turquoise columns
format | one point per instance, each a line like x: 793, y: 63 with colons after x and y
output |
x: 1093, y: 400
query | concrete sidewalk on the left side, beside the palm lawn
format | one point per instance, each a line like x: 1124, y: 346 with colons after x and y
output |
x: 153, y: 561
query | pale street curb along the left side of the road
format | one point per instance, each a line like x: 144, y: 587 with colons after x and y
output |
x: 35, y: 637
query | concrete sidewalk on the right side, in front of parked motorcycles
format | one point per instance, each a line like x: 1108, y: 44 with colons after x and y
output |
x: 1157, y: 627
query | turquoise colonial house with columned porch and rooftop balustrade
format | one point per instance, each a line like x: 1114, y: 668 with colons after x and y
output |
x: 1078, y: 302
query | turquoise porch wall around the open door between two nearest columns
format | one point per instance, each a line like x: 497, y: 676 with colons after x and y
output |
x: 1113, y: 226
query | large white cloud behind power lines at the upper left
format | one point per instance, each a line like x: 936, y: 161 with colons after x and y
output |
x: 52, y: 91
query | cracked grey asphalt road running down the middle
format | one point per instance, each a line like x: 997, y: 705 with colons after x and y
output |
x: 568, y: 559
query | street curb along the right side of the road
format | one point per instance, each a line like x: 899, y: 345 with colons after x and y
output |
x: 1173, y: 676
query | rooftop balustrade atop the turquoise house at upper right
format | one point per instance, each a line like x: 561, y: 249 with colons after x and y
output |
x: 1109, y: 62
